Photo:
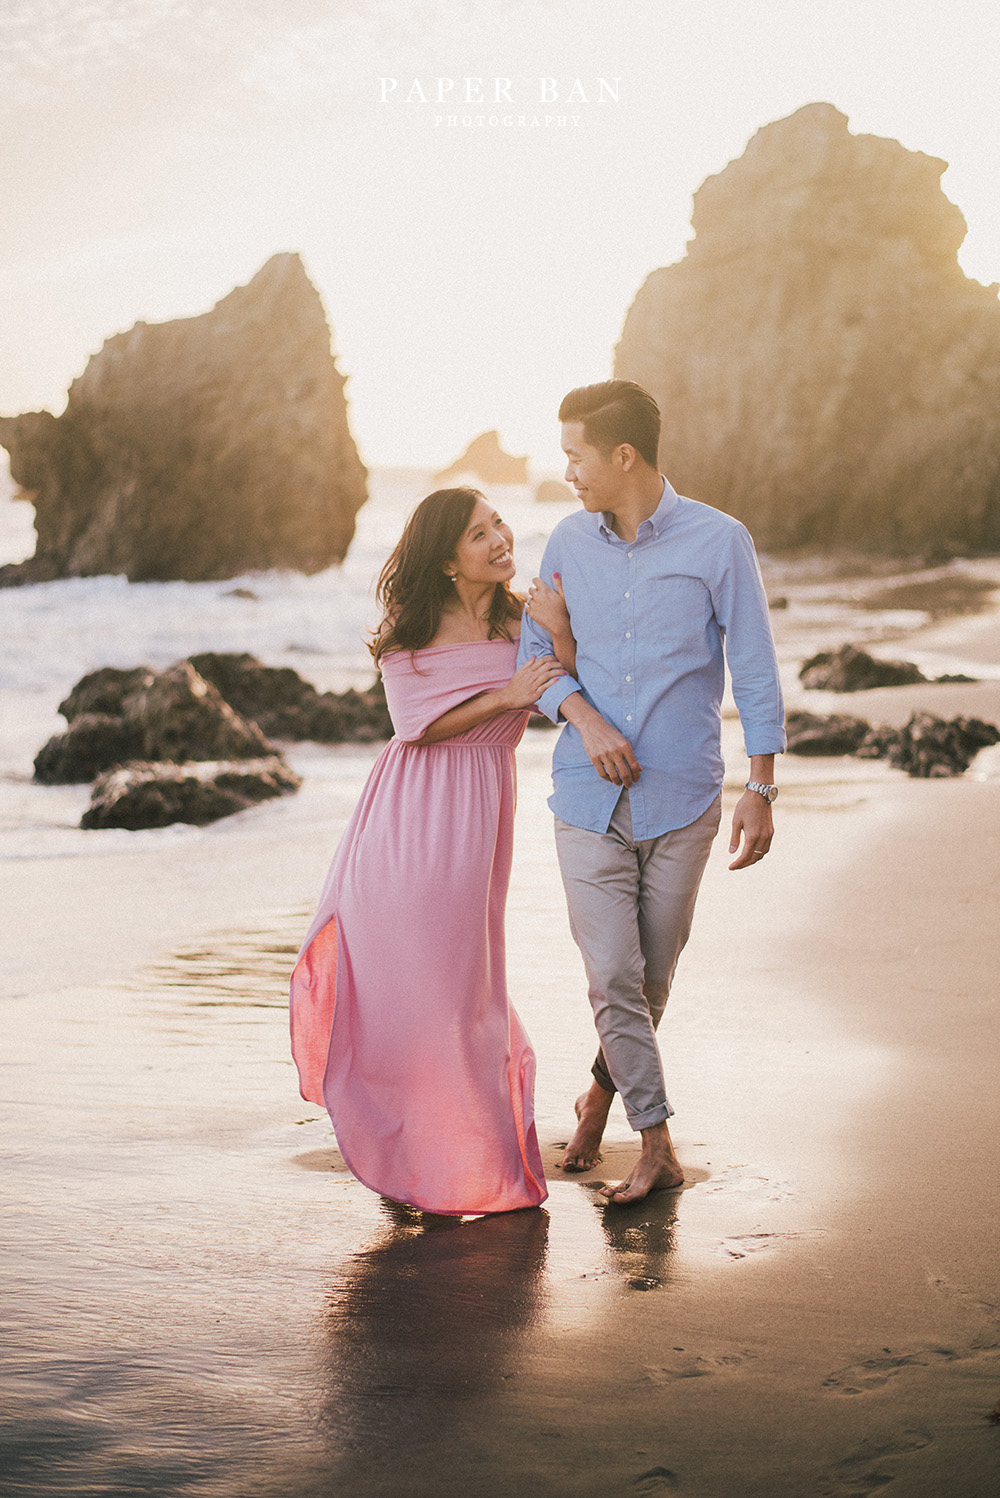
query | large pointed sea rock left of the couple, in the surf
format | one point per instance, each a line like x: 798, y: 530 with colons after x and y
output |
x: 200, y: 449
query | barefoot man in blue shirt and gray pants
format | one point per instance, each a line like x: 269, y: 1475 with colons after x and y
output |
x: 655, y: 586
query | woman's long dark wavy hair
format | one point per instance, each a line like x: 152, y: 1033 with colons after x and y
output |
x: 414, y: 586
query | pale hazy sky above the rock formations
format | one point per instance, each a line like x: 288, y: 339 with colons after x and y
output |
x: 158, y: 152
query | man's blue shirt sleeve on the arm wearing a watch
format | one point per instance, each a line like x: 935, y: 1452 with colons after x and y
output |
x: 742, y: 609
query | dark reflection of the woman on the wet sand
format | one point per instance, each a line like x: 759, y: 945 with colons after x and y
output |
x: 423, y: 1328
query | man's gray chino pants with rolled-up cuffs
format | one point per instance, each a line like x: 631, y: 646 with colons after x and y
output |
x: 631, y: 907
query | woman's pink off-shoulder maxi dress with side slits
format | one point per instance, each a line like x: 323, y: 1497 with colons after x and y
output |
x: 402, y: 1024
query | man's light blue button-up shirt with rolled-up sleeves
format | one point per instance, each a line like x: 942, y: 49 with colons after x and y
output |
x: 652, y: 618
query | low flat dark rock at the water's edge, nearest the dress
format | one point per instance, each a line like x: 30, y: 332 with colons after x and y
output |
x: 162, y: 795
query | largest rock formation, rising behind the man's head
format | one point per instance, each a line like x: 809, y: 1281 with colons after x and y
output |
x: 827, y: 372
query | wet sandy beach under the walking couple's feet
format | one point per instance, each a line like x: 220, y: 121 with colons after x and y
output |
x: 203, y: 1301
